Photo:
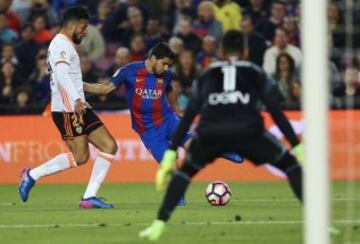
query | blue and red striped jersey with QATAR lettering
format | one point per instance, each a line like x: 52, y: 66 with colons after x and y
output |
x: 146, y: 95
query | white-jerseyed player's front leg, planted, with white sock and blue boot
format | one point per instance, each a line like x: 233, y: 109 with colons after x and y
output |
x: 102, y: 140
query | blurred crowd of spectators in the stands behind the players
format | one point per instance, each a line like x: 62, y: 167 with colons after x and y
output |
x: 124, y: 31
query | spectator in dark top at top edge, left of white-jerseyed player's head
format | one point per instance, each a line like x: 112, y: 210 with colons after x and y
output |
x: 39, y: 8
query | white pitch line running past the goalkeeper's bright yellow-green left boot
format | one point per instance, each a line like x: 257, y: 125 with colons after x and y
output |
x: 275, y: 222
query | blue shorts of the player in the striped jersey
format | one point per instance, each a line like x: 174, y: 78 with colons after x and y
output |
x: 158, y: 140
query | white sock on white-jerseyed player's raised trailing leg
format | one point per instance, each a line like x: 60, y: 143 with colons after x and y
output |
x: 59, y: 163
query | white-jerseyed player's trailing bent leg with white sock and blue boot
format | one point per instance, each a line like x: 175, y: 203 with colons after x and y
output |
x: 78, y: 154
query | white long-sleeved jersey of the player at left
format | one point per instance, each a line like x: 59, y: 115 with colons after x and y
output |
x: 62, y: 50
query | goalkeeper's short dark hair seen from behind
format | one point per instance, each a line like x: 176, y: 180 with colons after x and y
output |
x: 233, y: 42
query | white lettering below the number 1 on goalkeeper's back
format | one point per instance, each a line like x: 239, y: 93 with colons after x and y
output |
x: 229, y: 98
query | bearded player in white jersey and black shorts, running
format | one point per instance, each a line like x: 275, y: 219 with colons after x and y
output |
x: 77, y: 123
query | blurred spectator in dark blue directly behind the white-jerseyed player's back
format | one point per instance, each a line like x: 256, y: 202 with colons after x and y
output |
x: 40, y: 81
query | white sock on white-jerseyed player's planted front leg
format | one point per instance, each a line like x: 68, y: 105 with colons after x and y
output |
x: 99, y: 172
